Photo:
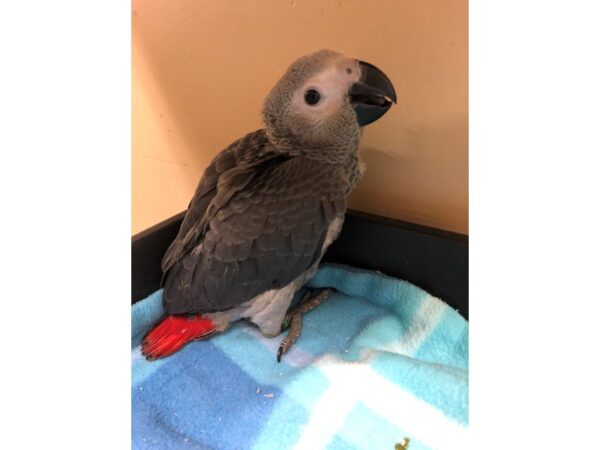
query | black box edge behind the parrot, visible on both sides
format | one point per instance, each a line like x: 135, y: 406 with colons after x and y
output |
x: 432, y: 259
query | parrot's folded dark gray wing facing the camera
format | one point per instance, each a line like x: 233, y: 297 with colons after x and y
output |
x: 259, y: 235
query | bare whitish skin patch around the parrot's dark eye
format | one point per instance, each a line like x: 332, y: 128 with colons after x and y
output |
x: 329, y: 86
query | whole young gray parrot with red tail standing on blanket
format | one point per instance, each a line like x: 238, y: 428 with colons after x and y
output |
x: 269, y: 205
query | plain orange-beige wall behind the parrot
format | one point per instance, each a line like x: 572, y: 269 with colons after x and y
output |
x: 201, y: 70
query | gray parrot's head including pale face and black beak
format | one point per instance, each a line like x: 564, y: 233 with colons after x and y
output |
x: 324, y: 99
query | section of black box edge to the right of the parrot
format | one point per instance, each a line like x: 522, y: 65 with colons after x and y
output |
x: 434, y: 260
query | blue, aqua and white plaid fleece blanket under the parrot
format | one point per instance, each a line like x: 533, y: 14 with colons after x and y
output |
x: 381, y: 364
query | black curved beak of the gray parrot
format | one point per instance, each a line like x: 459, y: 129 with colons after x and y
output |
x: 372, y: 95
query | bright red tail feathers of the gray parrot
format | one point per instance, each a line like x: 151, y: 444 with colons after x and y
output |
x: 173, y: 333
